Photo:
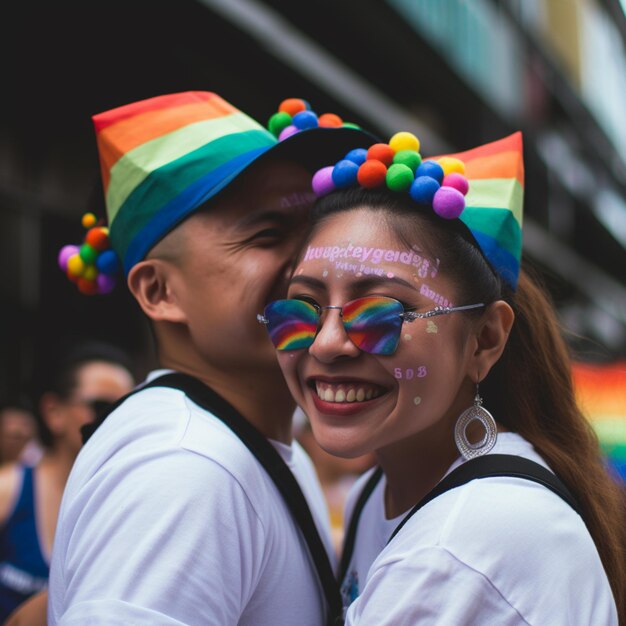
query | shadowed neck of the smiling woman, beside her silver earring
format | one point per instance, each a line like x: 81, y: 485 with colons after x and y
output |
x: 413, y: 467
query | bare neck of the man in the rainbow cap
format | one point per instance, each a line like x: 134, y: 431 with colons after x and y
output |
x: 261, y: 396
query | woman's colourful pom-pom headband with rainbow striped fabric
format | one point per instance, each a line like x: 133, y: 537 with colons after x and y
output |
x: 482, y: 187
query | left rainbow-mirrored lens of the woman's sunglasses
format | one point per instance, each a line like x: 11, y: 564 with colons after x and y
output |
x: 292, y: 324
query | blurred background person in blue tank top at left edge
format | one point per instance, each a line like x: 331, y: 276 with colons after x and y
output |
x: 30, y: 497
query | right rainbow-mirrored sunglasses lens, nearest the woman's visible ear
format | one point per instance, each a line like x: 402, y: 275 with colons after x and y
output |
x: 374, y: 324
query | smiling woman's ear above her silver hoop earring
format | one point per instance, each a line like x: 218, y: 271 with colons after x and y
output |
x: 493, y: 333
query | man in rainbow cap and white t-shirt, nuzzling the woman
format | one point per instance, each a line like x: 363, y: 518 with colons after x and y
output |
x: 179, y: 510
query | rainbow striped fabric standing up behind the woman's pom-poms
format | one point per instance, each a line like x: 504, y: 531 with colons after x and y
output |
x: 494, y: 203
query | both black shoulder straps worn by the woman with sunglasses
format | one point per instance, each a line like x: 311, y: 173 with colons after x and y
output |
x: 490, y: 465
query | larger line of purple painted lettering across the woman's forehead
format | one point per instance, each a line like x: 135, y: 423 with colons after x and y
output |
x: 371, y: 255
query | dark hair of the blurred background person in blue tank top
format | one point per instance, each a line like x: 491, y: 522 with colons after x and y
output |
x: 62, y: 379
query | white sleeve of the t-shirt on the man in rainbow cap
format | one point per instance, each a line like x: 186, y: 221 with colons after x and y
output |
x: 166, y: 541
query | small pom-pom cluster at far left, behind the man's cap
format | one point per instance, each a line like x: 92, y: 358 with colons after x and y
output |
x: 93, y: 266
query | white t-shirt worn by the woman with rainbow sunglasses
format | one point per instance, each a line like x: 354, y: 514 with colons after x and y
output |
x: 503, y: 551
